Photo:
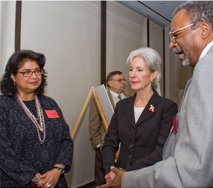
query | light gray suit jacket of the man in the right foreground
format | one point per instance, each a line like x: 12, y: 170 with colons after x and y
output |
x: 188, y: 154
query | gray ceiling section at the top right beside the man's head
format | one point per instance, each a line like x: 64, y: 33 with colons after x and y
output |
x: 159, y: 11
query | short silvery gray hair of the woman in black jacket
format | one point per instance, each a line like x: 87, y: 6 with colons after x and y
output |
x: 152, y: 60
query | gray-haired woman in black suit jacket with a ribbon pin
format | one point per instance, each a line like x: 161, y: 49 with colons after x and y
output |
x: 140, y: 124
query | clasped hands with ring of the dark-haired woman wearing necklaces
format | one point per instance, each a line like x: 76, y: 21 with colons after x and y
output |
x: 49, y: 179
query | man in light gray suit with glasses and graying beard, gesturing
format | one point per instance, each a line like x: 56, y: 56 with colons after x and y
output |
x: 188, y: 159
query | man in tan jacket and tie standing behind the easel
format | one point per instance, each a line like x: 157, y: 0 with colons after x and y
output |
x: 116, y: 85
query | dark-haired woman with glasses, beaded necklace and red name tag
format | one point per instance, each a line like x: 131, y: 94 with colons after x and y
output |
x: 35, y: 143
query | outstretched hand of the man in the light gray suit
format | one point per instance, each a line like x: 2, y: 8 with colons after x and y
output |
x: 116, y: 183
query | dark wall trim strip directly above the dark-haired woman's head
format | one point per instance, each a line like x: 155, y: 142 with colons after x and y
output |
x: 18, y: 26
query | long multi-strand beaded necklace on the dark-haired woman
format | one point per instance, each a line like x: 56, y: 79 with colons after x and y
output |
x: 39, y: 126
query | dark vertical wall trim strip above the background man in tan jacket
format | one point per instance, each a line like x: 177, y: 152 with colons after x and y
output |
x: 103, y: 41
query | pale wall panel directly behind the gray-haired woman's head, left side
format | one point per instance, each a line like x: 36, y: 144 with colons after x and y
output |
x: 126, y: 31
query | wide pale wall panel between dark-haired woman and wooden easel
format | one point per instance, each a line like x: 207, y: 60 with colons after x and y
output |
x: 68, y: 33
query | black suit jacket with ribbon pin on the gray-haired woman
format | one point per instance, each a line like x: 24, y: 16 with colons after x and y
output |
x: 142, y: 142
